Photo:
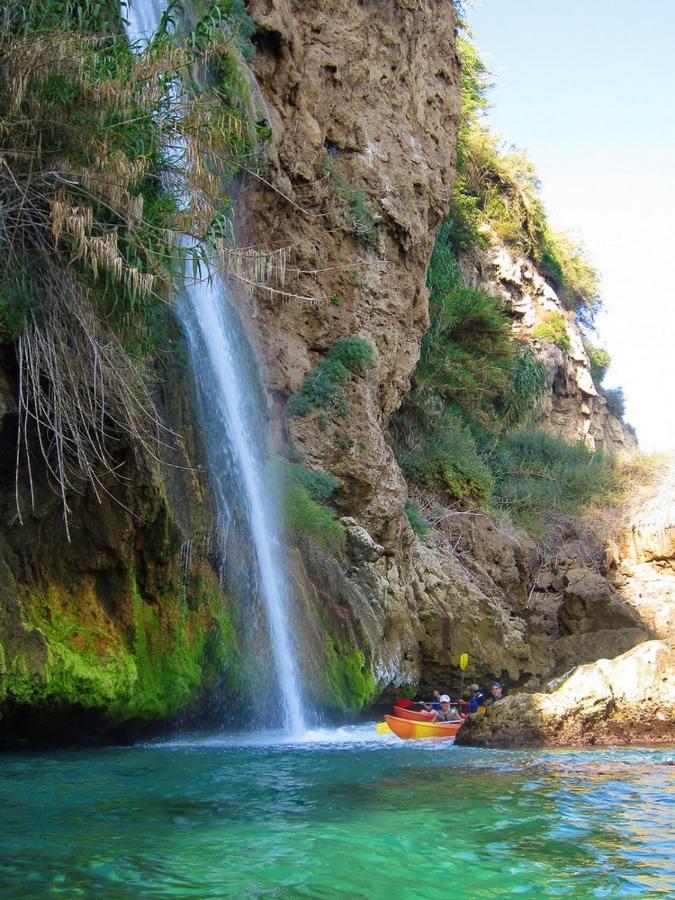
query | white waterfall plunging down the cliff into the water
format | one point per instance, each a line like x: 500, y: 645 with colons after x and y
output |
x: 233, y: 424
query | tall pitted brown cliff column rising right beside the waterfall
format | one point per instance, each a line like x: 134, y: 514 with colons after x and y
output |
x: 363, y: 99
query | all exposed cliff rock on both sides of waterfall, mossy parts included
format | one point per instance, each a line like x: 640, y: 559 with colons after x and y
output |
x: 129, y: 620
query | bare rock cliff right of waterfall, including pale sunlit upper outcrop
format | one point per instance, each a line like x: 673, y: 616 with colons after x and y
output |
x: 364, y: 106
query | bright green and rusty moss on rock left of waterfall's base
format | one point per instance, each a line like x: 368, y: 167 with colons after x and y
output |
x: 148, y: 663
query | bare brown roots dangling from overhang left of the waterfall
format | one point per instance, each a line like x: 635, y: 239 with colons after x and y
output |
x: 80, y: 396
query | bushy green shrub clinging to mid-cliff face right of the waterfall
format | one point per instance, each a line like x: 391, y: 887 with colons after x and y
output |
x: 323, y: 386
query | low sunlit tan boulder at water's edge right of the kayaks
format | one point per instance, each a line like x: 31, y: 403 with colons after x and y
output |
x: 629, y: 699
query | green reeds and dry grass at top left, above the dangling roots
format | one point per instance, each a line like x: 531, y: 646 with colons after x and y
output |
x: 85, y: 146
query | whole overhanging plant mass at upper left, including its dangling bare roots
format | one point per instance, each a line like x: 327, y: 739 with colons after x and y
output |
x: 94, y: 200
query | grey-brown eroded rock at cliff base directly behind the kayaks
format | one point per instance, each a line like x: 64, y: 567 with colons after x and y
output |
x: 416, y: 612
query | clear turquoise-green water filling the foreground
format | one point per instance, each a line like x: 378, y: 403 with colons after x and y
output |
x: 342, y: 814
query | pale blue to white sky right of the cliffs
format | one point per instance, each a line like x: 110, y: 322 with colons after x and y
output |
x: 586, y: 87
